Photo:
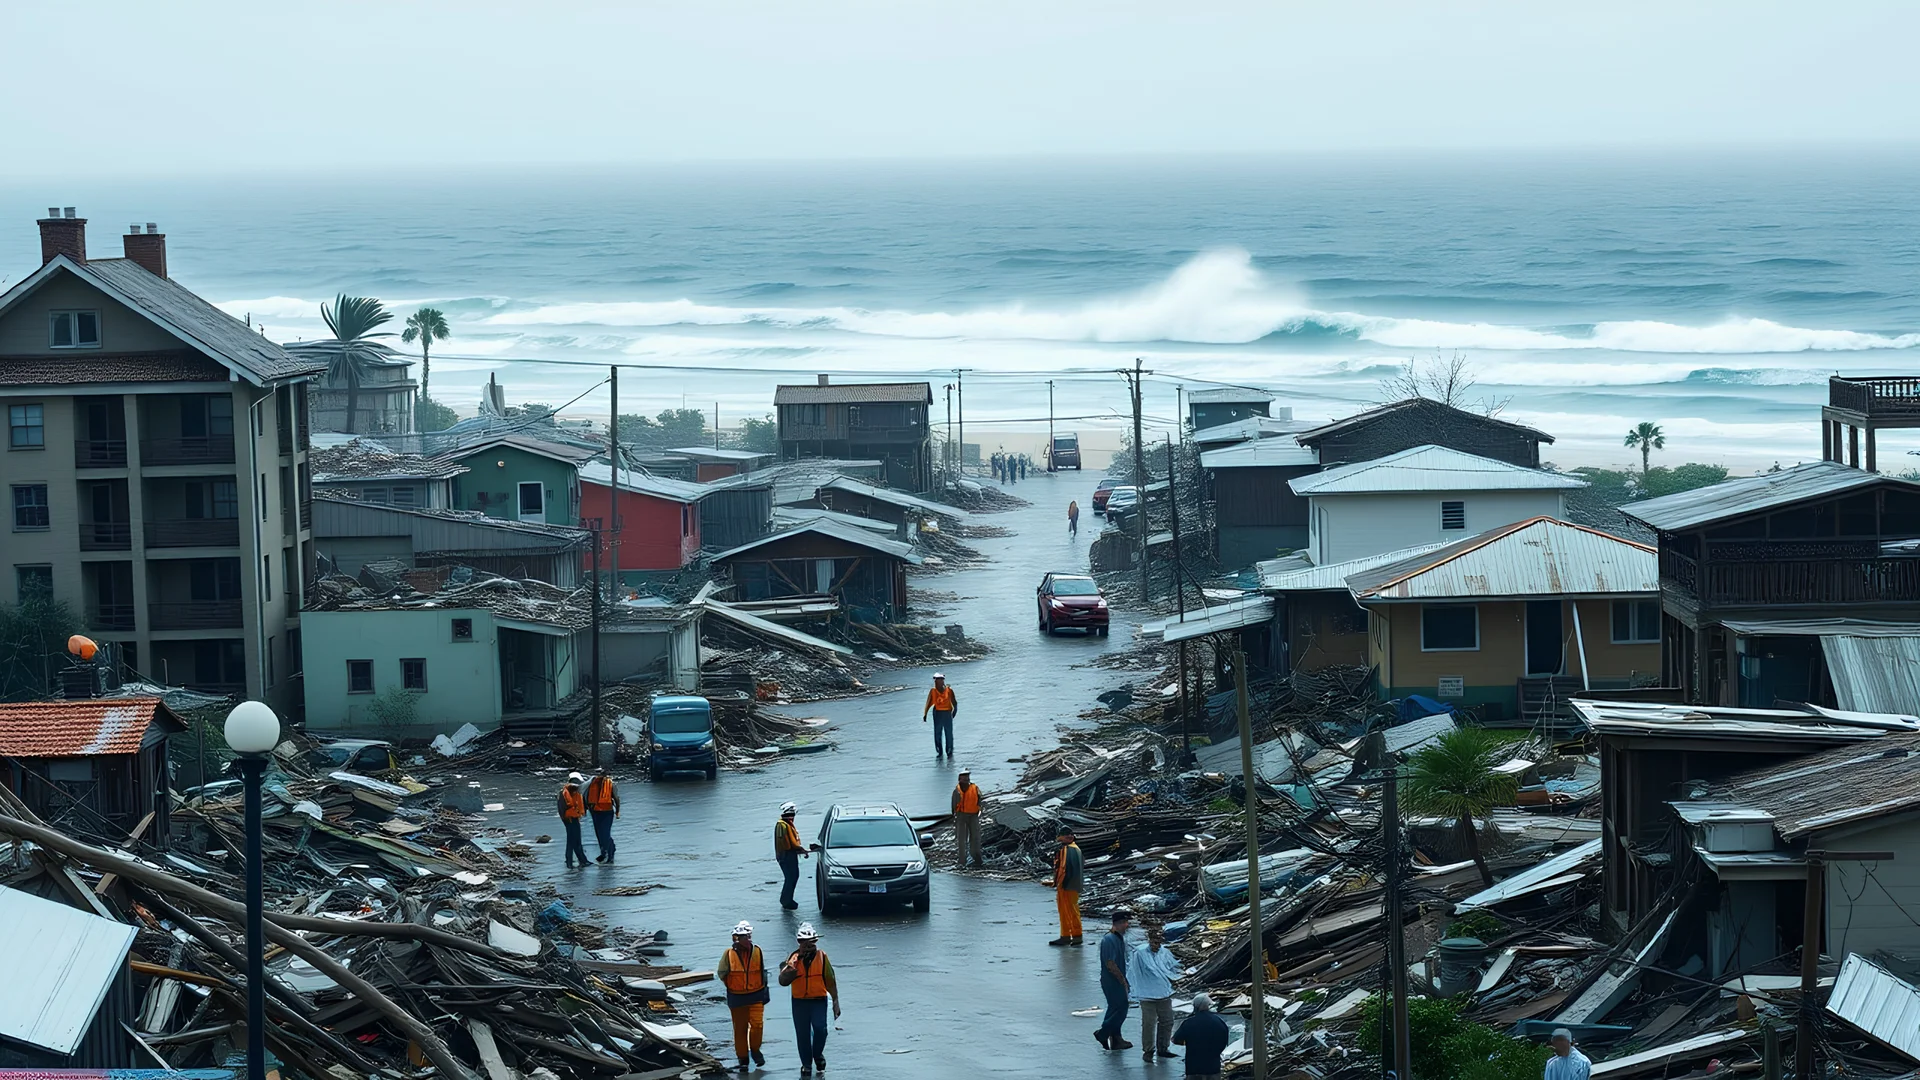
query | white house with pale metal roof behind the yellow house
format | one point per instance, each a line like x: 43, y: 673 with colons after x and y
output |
x: 1422, y: 497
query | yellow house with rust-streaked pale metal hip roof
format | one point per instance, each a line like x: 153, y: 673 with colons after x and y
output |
x: 1539, y: 599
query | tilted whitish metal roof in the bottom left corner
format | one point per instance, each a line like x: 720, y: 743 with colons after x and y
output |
x: 60, y: 966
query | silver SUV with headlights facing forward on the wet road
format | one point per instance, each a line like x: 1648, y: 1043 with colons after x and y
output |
x: 871, y: 852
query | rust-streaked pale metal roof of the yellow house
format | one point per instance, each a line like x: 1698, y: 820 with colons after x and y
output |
x: 1529, y: 558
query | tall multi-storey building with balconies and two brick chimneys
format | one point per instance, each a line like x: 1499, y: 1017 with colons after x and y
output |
x: 155, y: 468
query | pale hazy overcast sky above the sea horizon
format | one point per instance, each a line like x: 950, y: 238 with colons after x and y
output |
x: 185, y: 87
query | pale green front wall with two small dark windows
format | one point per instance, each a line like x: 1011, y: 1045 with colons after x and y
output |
x: 462, y: 677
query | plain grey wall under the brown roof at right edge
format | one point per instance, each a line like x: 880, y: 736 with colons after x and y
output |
x: 1881, y: 910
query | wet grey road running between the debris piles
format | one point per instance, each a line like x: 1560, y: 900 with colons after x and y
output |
x: 971, y: 989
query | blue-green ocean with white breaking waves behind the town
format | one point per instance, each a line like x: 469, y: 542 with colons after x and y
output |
x: 1712, y: 295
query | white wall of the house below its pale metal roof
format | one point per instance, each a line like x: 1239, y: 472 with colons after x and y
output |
x: 1355, y: 528
